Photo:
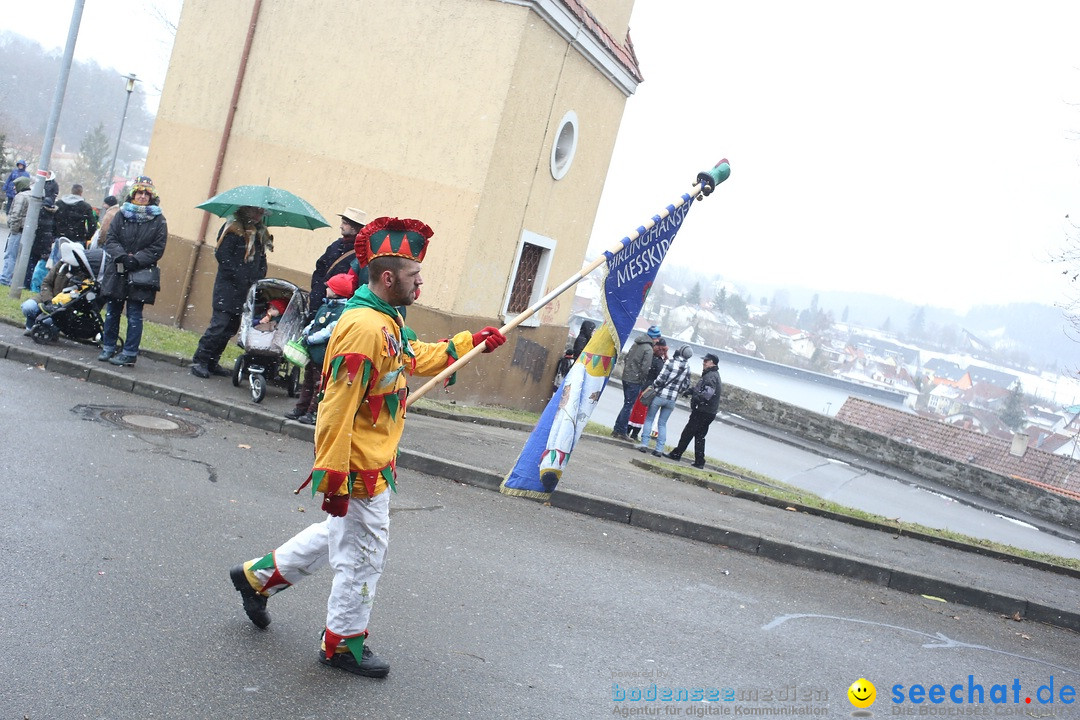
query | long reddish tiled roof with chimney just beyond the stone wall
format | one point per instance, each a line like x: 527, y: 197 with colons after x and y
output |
x: 962, y: 445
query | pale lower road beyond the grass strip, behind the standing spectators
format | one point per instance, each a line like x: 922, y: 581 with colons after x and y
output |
x: 911, y: 501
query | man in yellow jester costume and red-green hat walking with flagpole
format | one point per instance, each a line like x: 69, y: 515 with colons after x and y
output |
x: 361, y: 417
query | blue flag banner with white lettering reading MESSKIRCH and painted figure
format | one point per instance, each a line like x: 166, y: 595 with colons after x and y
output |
x: 631, y: 271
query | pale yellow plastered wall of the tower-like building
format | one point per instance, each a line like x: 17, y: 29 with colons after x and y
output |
x: 440, y: 110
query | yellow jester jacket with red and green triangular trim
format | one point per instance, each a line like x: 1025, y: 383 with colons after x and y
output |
x: 362, y: 413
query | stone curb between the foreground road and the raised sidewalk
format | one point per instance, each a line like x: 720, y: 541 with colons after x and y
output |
x: 577, y: 502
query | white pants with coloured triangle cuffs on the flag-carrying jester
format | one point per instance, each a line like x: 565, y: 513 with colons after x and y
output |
x: 355, y: 546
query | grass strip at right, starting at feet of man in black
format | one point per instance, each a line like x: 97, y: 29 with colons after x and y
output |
x: 746, y: 481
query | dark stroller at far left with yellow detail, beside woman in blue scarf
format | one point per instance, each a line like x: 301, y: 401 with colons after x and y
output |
x: 70, y: 300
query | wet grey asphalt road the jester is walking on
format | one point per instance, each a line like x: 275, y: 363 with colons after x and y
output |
x: 117, y: 604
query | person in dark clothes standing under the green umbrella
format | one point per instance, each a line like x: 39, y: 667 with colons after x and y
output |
x: 241, y: 261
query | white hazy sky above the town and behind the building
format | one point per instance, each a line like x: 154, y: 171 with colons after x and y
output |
x: 925, y: 151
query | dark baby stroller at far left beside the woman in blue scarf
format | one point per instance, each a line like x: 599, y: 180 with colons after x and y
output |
x: 77, y: 311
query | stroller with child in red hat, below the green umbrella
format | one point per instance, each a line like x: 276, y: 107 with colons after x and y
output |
x: 264, y: 343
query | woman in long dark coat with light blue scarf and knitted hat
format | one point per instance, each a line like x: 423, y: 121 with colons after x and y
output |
x: 137, y: 240
